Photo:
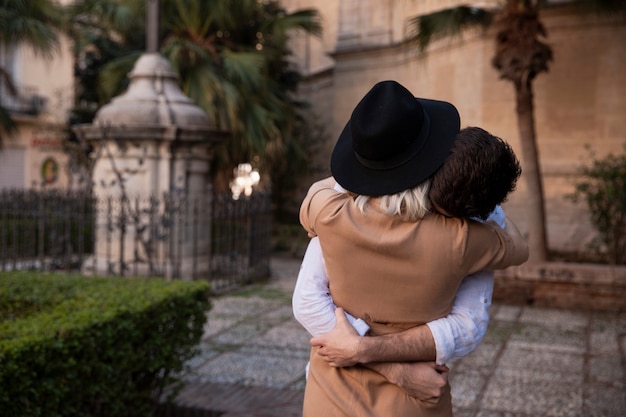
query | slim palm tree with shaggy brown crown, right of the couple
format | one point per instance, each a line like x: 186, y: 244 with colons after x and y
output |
x: 521, y: 54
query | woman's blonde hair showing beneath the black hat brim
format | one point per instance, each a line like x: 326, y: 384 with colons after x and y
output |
x: 411, y: 204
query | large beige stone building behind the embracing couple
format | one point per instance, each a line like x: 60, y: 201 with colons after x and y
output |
x: 581, y: 101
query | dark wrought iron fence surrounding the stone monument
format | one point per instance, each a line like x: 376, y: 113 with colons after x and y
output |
x: 216, y: 238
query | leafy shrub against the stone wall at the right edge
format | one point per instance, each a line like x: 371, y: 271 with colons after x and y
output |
x: 603, y: 188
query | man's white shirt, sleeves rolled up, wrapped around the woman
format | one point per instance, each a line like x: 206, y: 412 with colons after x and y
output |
x: 456, y: 335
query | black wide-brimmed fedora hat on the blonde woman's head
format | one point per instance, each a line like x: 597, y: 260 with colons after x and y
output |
x: 393, y: 141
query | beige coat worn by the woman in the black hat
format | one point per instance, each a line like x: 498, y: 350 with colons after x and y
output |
x: 395, y: 275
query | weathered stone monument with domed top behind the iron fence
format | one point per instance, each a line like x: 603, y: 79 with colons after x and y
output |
x: 149, y: 143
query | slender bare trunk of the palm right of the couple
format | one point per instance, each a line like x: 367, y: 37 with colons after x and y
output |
x: 531, y: 172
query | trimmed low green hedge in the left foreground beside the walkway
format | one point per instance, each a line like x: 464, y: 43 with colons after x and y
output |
x: 78, y: 346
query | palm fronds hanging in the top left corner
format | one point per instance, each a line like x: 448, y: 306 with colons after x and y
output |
x: 27, y: 22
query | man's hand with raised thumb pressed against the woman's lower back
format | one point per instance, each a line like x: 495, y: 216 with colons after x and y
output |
x: 340, y: 346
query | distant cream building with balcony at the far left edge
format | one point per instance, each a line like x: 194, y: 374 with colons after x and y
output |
x: 33, y: 155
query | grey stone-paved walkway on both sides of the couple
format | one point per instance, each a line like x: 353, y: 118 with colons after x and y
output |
x: 532, y: 362
